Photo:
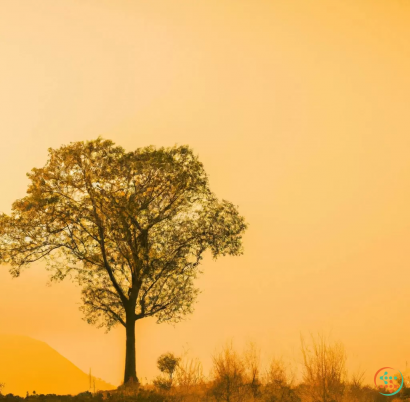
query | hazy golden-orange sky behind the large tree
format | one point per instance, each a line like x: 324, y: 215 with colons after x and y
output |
x: 299, y: 111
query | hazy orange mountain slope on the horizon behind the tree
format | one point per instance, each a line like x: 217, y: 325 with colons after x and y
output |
x: 30, y: 365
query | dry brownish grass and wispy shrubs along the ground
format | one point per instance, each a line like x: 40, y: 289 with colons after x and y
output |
x: 239, y: 377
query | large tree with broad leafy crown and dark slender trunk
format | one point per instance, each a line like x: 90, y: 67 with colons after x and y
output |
x: 130, y: 227
